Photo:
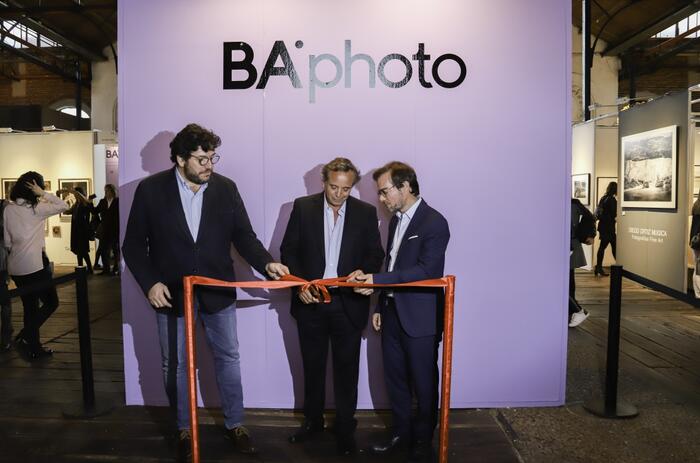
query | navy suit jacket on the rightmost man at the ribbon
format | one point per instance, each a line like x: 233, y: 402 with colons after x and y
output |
x: 421, y: 256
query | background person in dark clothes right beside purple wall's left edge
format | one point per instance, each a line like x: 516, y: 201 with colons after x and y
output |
x: 108, y: 230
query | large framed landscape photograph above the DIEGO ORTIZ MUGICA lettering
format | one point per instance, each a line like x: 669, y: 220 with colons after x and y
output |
x: 649, y: 166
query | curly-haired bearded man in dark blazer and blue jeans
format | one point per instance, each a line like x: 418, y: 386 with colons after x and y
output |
x: 183, y: 222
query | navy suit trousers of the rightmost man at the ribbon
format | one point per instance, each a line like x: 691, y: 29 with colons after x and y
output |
x: 410, y: 369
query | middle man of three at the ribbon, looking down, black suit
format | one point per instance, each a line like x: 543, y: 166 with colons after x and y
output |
x: 331, y: 234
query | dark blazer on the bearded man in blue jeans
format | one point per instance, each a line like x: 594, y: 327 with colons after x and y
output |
x: 158, y: 245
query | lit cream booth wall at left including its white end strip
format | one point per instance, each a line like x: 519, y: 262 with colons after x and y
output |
x: 65, y: 159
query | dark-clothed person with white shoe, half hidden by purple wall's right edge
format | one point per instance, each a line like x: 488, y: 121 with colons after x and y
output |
x: 582, y: 231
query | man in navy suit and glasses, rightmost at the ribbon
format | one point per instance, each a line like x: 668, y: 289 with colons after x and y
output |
x: 410, y: 319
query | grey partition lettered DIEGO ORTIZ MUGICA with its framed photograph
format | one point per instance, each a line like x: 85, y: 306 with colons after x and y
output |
x: 658, y: 184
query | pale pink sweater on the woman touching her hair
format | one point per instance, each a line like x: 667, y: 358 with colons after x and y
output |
x: 24, y: 232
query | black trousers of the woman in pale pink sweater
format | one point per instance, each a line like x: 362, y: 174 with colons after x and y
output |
x: 34, y: 314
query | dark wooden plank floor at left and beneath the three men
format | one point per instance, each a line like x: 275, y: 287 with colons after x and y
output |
x: 34, y: 397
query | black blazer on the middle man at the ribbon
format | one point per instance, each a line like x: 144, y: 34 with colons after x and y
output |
x: 303, y: 250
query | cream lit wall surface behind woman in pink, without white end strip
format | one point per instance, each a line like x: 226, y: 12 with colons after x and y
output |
x: 55, y: 155
